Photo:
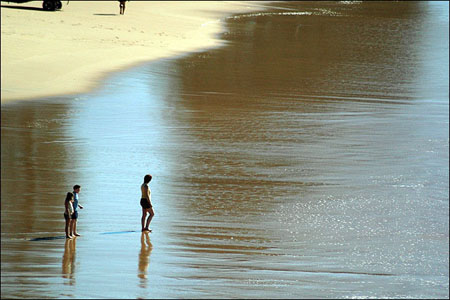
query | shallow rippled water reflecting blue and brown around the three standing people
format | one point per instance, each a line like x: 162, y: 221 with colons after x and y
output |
x: 306, y: 158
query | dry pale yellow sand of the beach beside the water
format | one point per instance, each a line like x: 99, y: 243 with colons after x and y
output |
x: 68, y: 51
